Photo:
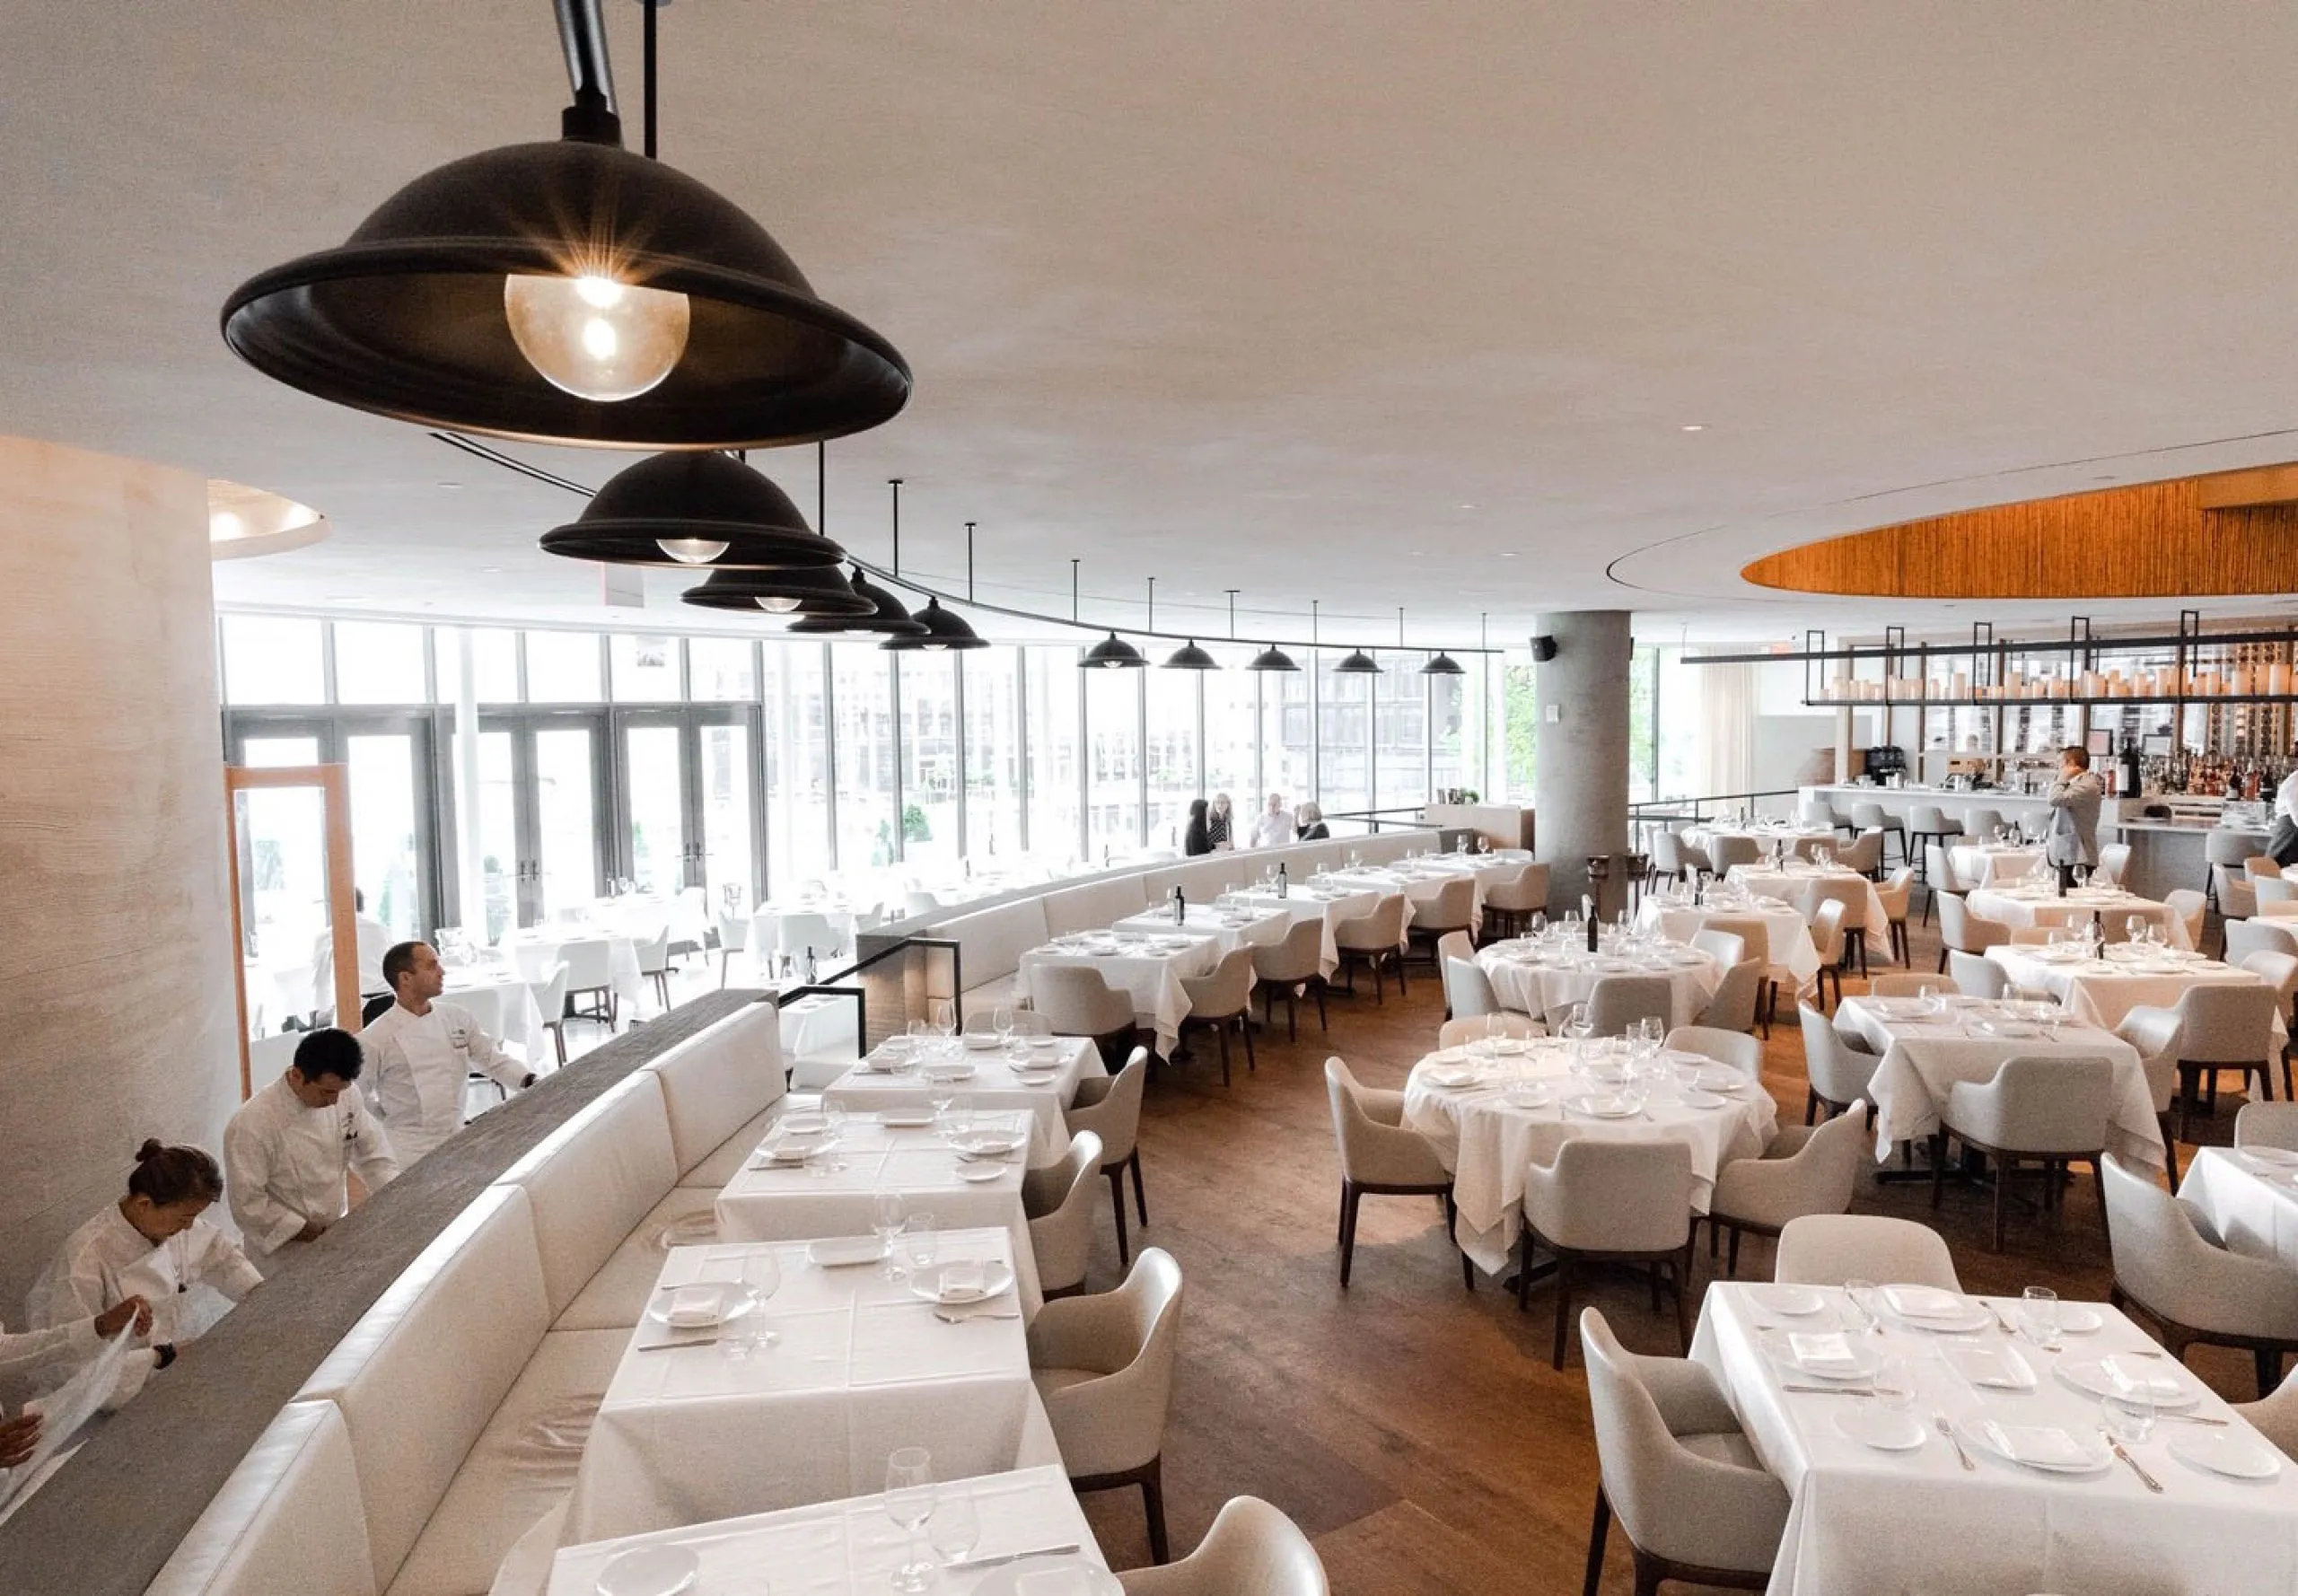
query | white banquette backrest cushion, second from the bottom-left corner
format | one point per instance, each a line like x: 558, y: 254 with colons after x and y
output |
x: 426, y: 1368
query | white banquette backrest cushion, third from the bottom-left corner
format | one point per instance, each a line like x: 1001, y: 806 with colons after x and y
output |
x: 594, y: 1179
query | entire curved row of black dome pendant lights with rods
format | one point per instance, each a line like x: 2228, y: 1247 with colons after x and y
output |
x: 576, y: 293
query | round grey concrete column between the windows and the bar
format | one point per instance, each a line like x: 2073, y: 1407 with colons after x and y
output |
x: 1580, y: 787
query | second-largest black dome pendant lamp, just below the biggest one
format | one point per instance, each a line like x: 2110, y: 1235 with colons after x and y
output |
x: 702, y: 509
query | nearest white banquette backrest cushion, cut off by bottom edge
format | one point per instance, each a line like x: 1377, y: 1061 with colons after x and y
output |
x: 286, y: 1521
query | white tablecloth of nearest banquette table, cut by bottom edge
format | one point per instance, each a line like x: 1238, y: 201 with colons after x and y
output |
x: 847, y: 1549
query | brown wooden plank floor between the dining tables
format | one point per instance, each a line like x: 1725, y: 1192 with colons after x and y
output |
x: 1417, y: 1430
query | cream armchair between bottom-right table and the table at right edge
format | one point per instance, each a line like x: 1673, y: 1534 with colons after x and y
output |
x: 2191, y: 1289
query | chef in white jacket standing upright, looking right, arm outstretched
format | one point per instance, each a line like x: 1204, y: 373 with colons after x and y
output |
x: 422, y: 1051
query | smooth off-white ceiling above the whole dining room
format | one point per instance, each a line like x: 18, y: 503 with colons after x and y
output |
x: 1300, y: 300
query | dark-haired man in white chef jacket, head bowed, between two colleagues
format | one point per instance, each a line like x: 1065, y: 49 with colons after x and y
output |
x: 293, y: 1147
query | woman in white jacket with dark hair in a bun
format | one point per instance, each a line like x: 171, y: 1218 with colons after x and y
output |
x: 153, y: 1244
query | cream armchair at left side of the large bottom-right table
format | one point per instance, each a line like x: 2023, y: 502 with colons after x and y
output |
x: 1679, y: 1473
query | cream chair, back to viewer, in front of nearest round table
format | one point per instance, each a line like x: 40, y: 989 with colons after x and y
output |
x: 1626, y: 1202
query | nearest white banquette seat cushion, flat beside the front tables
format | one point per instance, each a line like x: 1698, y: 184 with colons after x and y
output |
x: 520, y: 1469
